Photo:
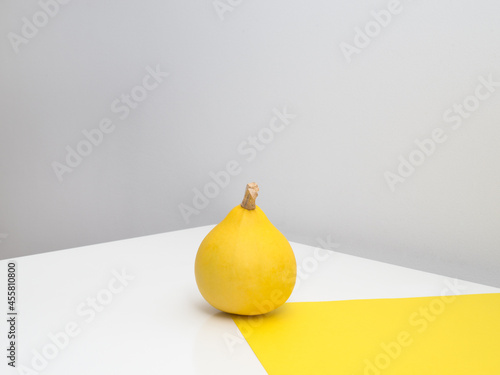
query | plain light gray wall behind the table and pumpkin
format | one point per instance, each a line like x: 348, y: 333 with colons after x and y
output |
x: 355, y: 104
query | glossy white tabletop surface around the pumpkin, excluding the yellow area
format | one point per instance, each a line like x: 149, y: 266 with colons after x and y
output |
x: 148, y: 316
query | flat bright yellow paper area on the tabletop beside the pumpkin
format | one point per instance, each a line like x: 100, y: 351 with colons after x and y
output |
x: 454, y: 335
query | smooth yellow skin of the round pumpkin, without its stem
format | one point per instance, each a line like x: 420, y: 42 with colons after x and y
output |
x: 245, y: 265
